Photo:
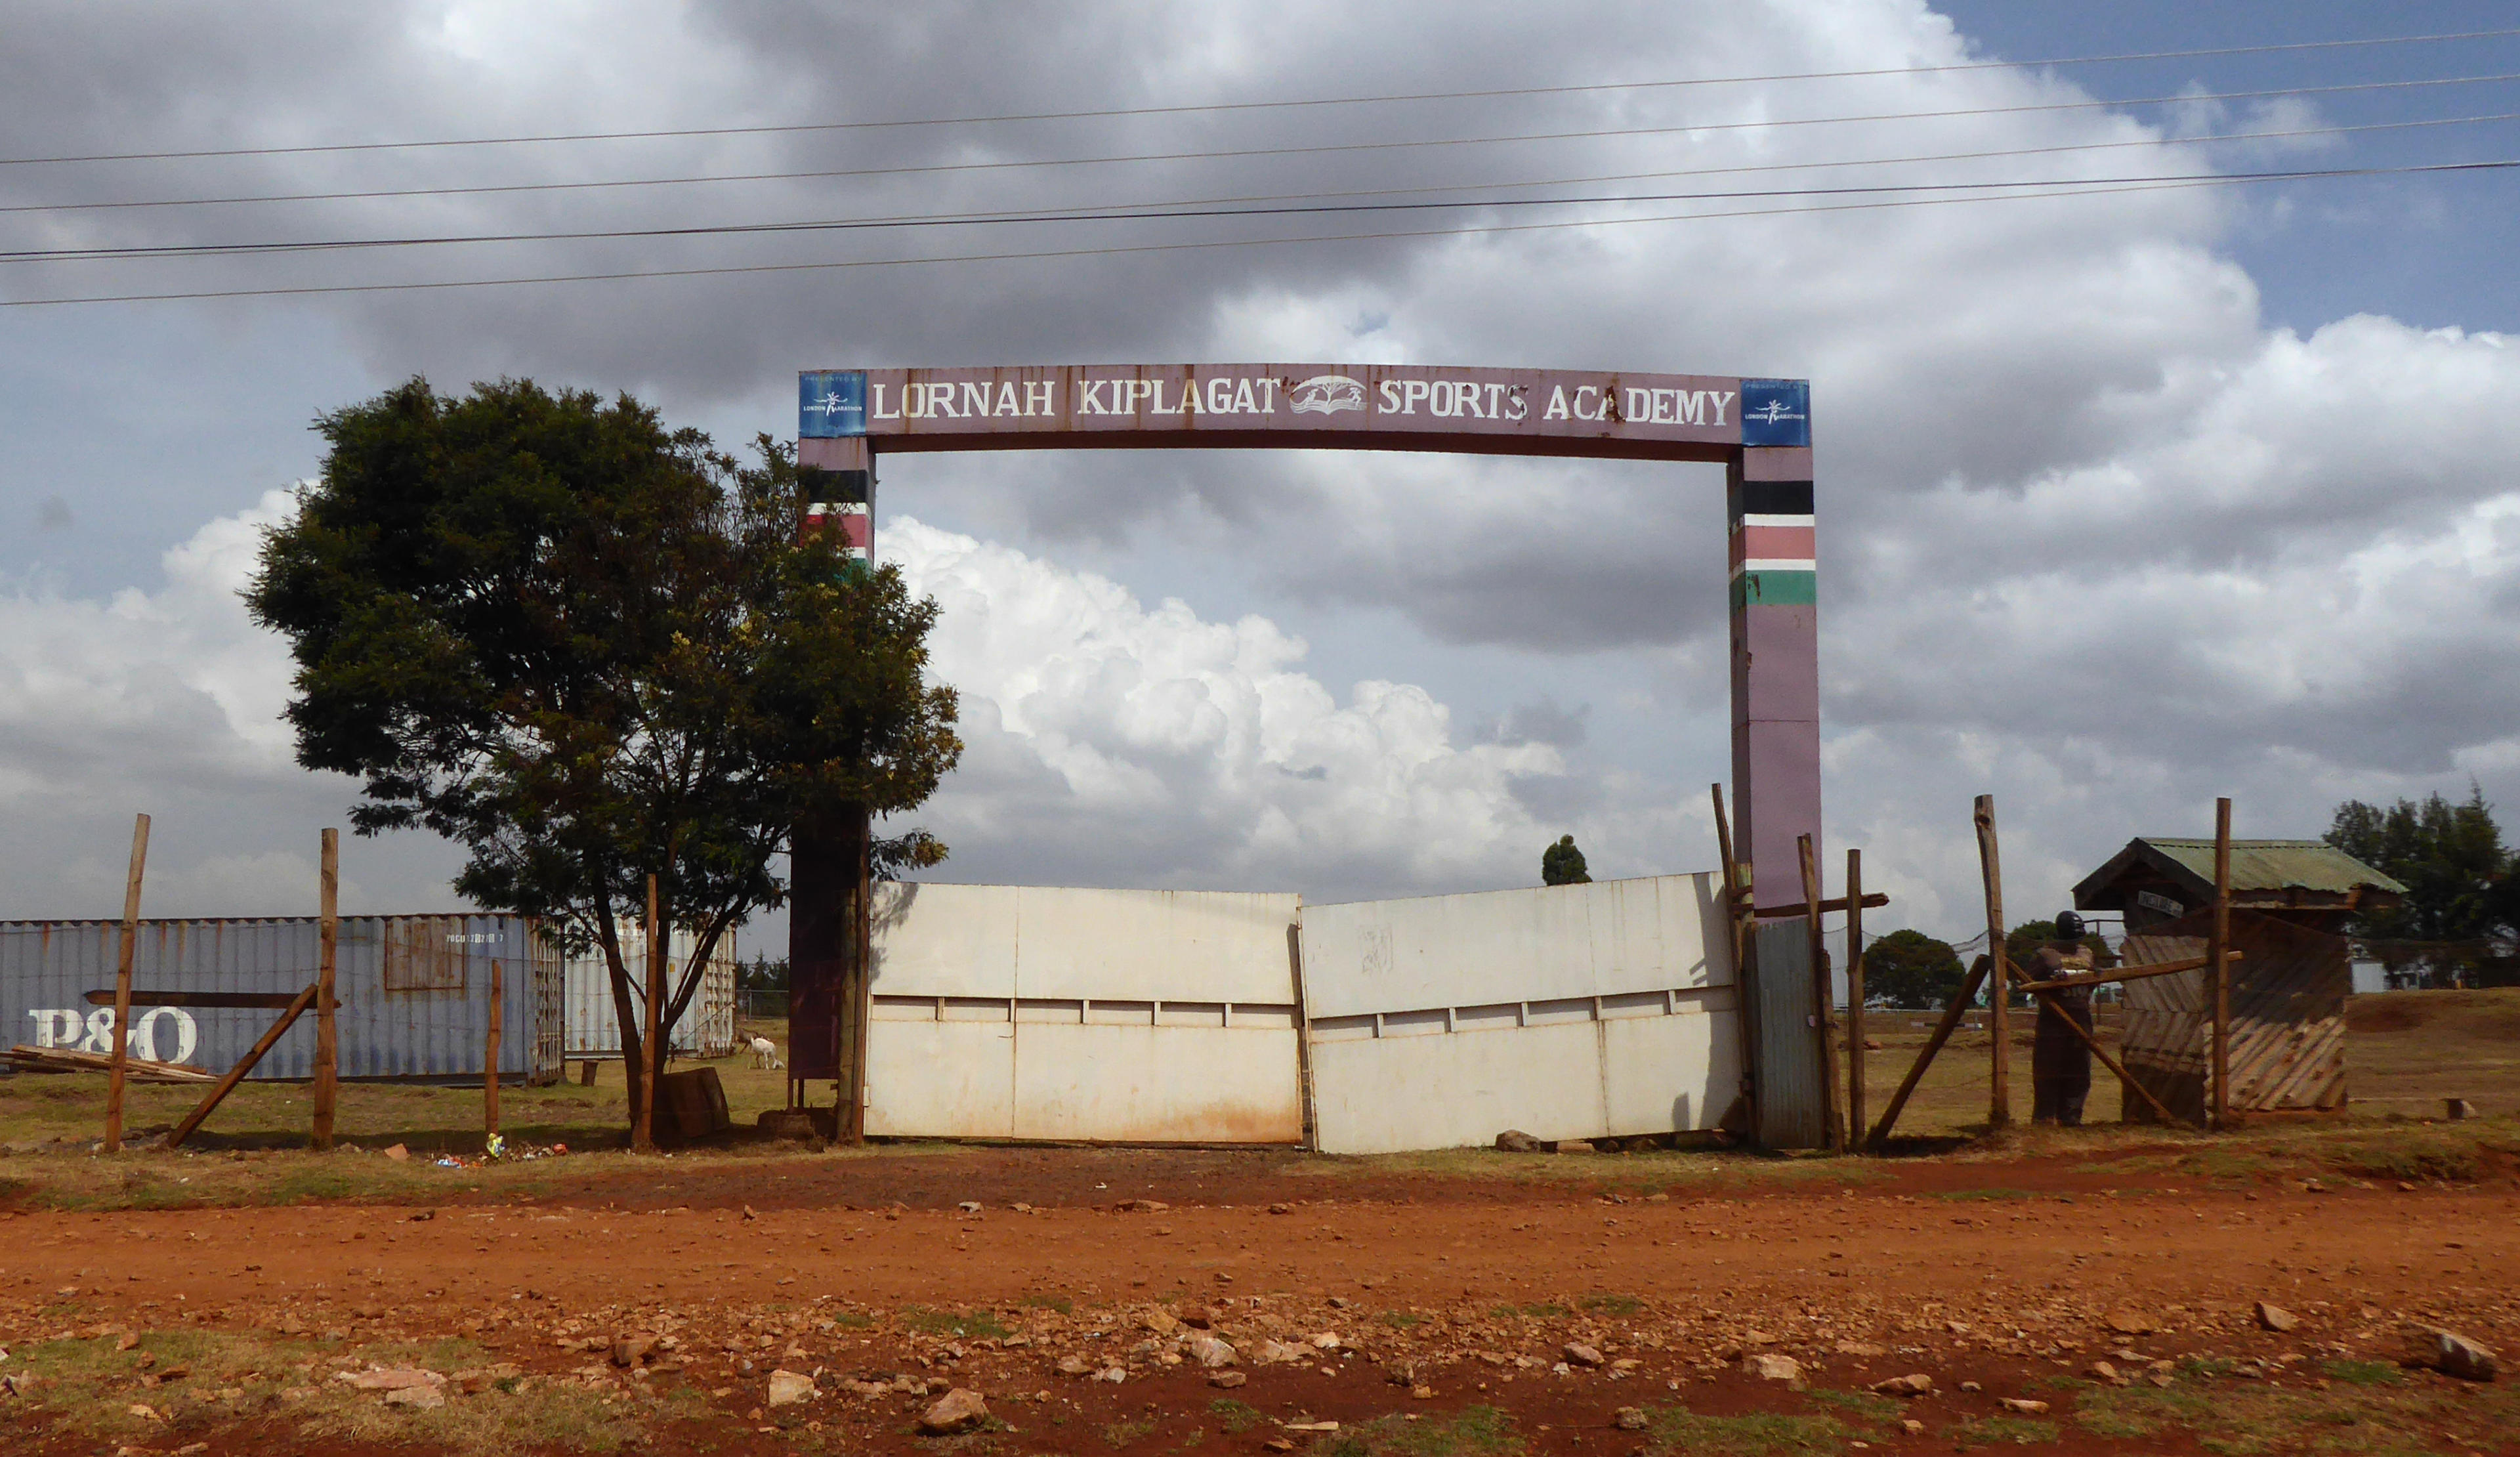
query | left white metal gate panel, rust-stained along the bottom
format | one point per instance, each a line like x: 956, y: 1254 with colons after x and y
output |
x: 1085, y: 1015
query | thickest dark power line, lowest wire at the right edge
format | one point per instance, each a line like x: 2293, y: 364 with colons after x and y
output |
x: 132, y: 253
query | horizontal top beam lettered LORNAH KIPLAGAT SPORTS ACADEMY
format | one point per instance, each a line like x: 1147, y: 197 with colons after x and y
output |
x: 1297, y: 405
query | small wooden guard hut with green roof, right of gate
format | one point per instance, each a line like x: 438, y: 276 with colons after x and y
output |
x: 2287, y: 992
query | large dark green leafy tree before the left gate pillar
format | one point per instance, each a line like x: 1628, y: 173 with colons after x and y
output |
x: 593, y: 652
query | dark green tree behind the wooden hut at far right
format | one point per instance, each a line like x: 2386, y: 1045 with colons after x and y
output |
x: 2463, y: 901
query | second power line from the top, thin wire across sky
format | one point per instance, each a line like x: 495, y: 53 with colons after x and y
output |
x: 1314, y: 150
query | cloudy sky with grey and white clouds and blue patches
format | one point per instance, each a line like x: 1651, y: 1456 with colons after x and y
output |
x: 2131, y: 490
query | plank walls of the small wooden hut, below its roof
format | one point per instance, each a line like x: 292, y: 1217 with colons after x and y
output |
x: 2287, y: 1017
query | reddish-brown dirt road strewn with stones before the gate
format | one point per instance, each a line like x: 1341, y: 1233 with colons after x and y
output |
x: 1443, y: 1297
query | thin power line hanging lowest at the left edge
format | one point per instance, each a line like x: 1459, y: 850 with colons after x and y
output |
x: 1113, y: 251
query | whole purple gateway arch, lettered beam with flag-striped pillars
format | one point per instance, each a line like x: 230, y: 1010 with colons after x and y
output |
x: 1758, y: 430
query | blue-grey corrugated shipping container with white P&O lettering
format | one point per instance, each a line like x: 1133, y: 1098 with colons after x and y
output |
x: 415, y: 992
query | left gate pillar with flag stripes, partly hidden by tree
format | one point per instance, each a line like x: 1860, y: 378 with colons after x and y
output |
x: 828, y: 856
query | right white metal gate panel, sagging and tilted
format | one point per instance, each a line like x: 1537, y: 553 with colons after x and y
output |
x: 1566, y: 1012
